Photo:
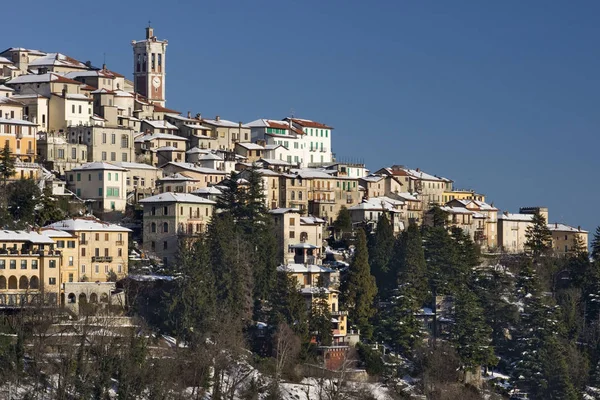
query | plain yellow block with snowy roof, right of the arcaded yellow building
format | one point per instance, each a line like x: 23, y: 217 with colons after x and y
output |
x: 103, y: 248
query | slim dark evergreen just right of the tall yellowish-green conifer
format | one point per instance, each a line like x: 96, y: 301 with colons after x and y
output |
x: 380, y: 252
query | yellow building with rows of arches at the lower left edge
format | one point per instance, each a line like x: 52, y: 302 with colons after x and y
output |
x: 29, y: 268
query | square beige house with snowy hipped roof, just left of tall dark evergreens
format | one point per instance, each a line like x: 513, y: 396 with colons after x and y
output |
x: 171, y: 217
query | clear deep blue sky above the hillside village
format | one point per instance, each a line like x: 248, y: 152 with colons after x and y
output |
x: 501, y: 97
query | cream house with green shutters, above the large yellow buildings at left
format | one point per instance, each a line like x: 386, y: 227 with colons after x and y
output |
x: 104, y: 185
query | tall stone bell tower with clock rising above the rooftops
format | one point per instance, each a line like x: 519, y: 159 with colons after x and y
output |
x: 149, y: 67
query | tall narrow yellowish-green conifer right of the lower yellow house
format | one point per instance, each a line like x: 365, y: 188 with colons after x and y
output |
x: 359, y: 288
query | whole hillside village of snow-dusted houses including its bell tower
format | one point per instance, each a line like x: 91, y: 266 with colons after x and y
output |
x: 134, y: 180
